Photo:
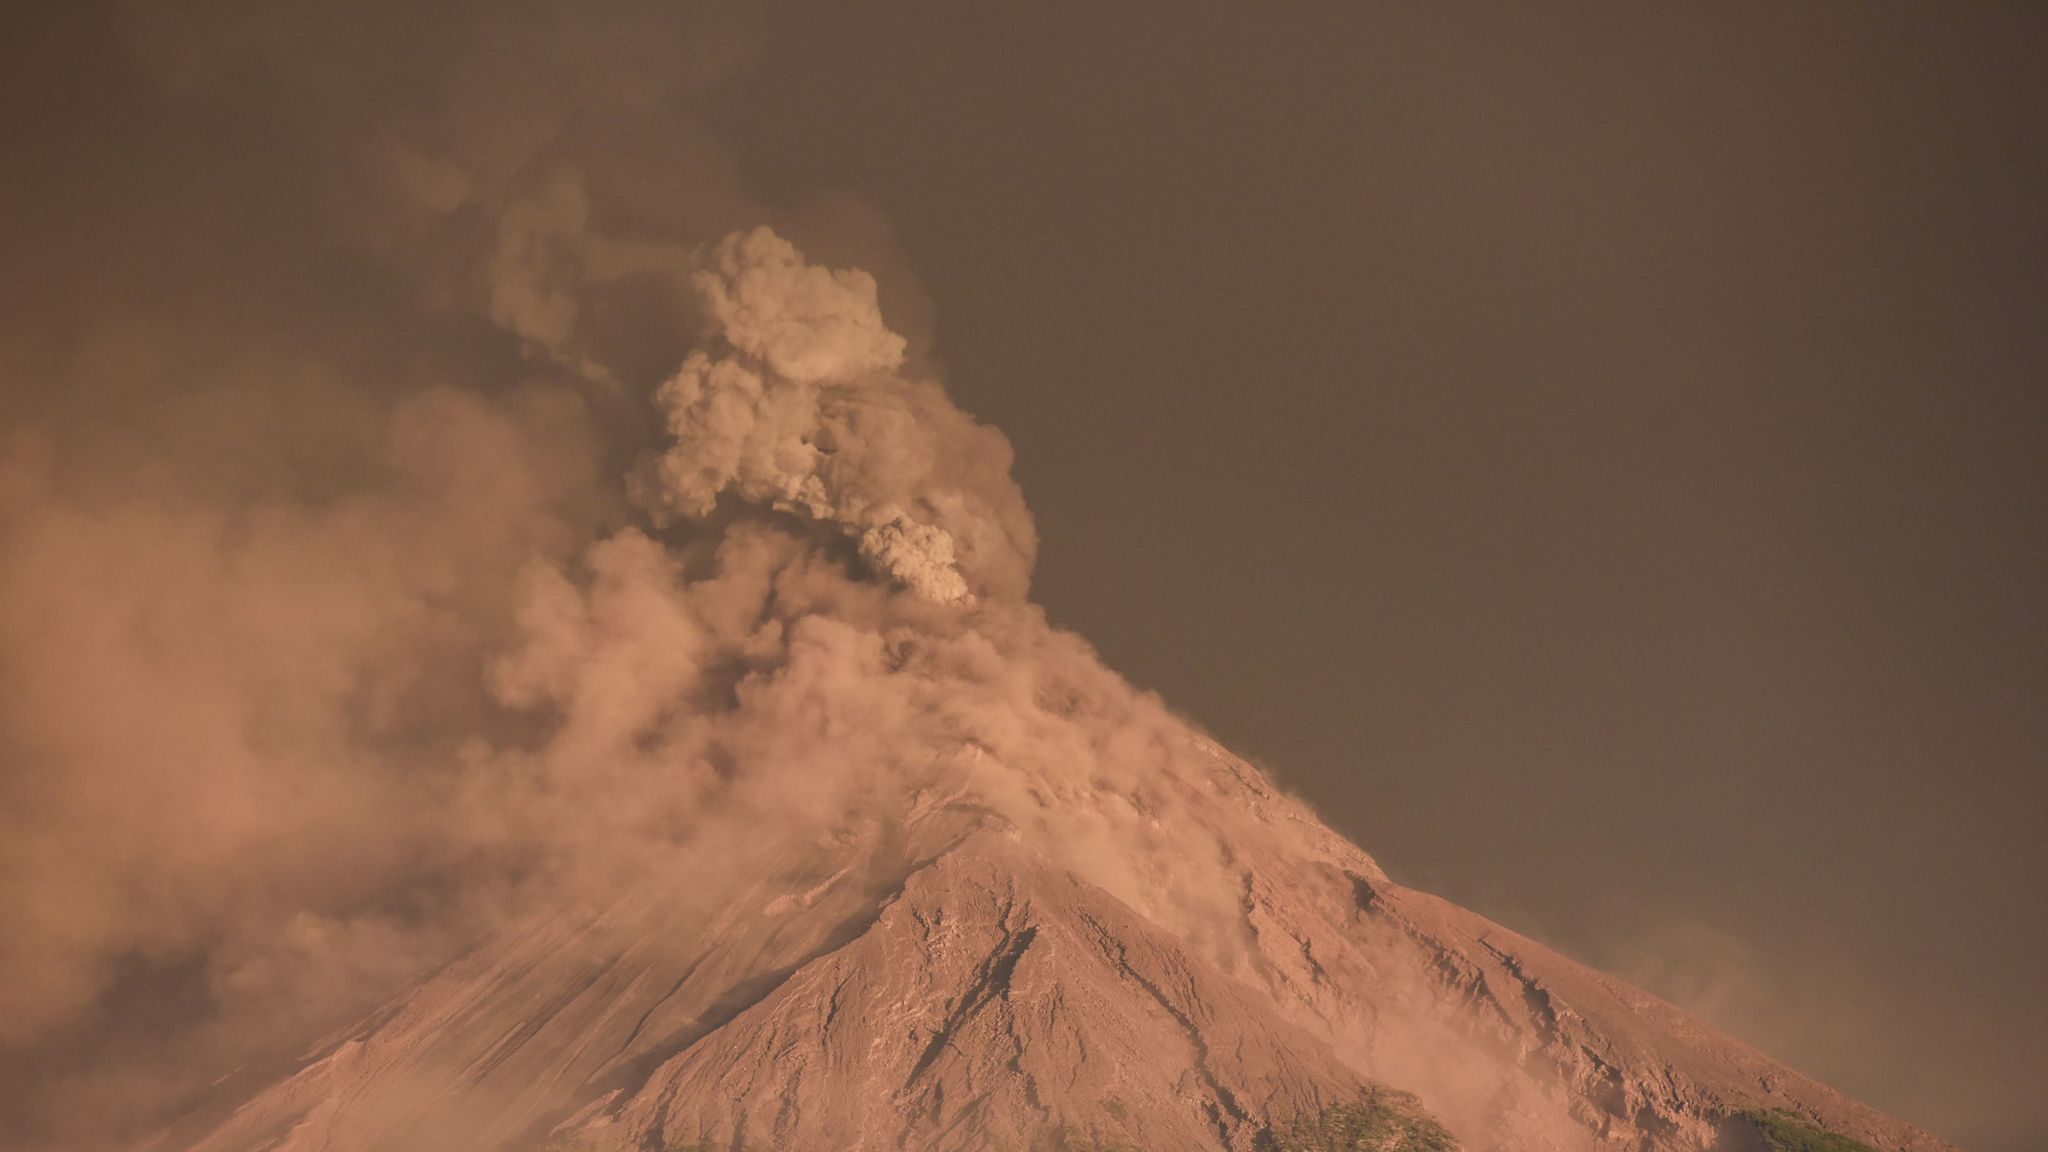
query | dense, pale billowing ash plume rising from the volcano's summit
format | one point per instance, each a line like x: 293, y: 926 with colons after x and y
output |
x: 802, y: 405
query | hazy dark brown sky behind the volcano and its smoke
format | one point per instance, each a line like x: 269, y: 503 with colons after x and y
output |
x: 1594, y: 452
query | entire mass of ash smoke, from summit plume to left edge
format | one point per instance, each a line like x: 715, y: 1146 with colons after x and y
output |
x: 372, y: 575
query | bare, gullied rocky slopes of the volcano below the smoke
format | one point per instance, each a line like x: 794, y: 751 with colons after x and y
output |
x: 955, y: 989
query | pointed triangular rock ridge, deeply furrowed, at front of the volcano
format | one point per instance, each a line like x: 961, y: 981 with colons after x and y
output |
x: 990, y: 1005
